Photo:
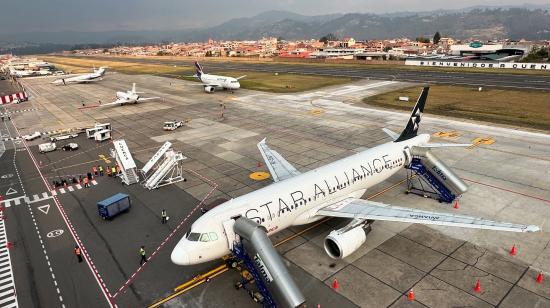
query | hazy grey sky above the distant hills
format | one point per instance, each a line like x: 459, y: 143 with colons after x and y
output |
x: 104, y: 15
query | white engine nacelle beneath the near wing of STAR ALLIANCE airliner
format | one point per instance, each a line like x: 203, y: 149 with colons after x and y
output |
x: 339, y: 245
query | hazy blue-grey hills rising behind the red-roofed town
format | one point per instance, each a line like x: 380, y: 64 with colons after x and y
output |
x: 527, y: 22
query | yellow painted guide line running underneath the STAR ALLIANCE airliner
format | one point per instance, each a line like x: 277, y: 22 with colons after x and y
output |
x: 201, y: 278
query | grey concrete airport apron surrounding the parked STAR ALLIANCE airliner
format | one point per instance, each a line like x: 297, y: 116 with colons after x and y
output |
x: 509, y: 180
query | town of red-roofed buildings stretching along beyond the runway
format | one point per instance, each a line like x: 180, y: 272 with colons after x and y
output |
x: 329, y: 47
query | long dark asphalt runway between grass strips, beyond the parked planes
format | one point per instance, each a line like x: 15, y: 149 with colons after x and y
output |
x: 518, y: 81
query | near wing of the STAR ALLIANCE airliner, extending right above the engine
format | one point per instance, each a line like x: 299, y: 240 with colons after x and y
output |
x: 365, y: 209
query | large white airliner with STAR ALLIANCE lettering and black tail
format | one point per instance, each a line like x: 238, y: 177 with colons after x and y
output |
x: 333, y: 190
